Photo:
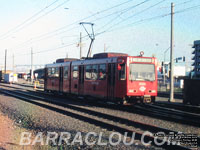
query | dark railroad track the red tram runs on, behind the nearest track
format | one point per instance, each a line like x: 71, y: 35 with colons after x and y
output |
x: 146, y: 110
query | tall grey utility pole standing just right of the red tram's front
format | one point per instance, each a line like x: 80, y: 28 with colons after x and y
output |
x: 172, y: 56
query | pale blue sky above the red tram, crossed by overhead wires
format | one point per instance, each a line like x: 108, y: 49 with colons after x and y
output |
x: 53, y: 31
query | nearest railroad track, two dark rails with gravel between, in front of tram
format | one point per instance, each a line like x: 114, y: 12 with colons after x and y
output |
x: 120, y: 125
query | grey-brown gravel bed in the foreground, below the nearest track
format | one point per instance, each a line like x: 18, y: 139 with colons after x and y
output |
x: 38, y: 119
